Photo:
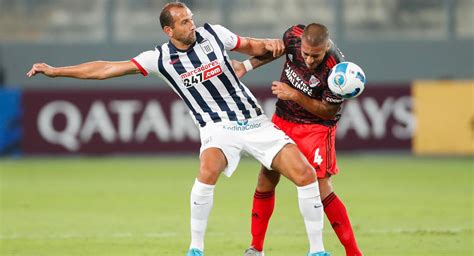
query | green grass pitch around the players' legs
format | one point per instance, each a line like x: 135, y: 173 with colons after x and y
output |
x: 399, y: 205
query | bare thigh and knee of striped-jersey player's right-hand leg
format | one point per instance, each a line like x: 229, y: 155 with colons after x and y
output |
x: 291, y: 163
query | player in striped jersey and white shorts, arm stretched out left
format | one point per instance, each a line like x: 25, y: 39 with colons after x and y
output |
x: 195, y: 64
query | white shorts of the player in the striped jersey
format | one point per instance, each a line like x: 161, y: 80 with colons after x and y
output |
x: 258, y: 137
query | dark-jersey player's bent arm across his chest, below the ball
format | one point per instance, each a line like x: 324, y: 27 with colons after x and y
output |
x: 321, y: 108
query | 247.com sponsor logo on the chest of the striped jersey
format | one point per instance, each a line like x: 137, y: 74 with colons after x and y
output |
x: 201, y: 73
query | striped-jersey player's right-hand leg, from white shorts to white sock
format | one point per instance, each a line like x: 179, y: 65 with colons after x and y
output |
x: 276, y: 151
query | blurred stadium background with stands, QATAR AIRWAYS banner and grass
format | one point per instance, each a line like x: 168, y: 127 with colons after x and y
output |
x: 105, y: 167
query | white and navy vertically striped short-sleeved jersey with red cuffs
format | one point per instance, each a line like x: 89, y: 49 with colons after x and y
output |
x: 203, y: 76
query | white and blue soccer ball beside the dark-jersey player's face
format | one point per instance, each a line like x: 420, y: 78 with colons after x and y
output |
x: 346, y: 80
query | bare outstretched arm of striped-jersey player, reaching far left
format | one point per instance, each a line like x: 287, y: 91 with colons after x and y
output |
x: 98, y: 70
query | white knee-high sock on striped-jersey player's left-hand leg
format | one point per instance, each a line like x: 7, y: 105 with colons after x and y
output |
x: 202, y: 196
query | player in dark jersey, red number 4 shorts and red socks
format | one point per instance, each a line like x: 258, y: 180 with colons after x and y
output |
x: 307, y: 111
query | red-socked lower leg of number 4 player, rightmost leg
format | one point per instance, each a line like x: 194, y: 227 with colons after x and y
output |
x: 338, y: 217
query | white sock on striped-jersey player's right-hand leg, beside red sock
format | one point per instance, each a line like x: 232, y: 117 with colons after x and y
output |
x: 311, y: 209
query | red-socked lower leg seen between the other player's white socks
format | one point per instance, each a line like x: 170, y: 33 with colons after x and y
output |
x: 262, y: 209
